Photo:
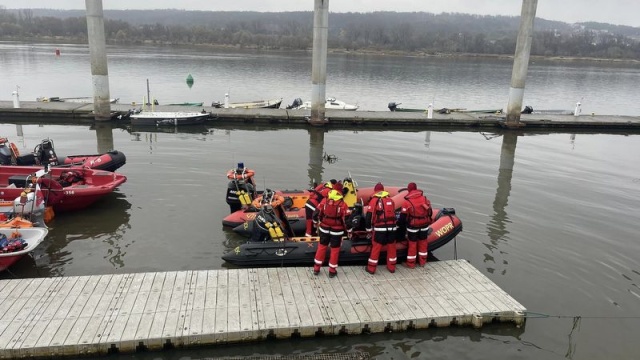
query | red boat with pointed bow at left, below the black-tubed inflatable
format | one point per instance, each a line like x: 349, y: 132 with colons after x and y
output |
x: 65, y: 189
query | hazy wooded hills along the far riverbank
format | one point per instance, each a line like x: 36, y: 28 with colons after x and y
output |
x: 415, y: 33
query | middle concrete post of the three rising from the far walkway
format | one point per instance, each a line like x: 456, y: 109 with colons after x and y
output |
x: 319, y: 63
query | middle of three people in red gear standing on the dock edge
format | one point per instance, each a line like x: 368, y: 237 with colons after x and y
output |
x: 381, y: 224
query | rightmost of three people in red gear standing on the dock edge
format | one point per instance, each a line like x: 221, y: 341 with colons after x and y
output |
x: 416, y: 216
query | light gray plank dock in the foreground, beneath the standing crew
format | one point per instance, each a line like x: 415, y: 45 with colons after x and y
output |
x: 101, y: 314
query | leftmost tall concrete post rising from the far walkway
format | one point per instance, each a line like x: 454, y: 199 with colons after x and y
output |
x: 98, y: 51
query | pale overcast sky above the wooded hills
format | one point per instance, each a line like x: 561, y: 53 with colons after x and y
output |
x: 621, y: 12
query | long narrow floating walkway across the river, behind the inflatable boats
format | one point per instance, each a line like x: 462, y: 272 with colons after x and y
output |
x: 76, y: 113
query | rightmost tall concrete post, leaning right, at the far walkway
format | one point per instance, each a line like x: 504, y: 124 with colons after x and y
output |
x: 521, y: 62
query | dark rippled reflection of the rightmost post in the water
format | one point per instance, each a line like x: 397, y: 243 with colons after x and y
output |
x: 497, y: 226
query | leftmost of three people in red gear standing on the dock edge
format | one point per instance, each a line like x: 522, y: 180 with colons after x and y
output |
x: 331, y: 215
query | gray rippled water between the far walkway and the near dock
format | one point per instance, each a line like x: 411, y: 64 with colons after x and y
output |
x: 557, y: 230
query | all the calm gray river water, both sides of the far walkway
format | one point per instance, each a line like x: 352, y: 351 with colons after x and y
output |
x: 551, y: 218
